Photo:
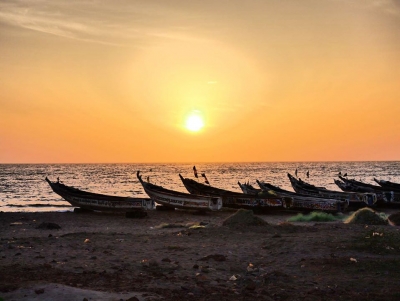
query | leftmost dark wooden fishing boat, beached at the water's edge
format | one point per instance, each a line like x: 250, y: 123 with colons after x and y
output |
x: 101, y: 202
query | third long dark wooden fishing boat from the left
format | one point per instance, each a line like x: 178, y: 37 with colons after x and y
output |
x: 234, y: 199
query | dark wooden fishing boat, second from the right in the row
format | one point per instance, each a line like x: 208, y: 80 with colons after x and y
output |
x: 383, y: 194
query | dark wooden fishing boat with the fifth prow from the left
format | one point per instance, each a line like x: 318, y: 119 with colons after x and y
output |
x: 307, y: 202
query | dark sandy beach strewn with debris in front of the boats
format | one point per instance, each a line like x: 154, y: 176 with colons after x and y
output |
x: 180, y: 255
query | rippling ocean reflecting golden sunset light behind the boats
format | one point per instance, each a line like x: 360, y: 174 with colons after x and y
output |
x: 23, y: 188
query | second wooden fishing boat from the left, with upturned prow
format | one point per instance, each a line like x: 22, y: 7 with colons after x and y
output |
x: 180, y: 200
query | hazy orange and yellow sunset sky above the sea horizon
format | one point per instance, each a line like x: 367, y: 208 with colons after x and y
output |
x: 114, y: 81
